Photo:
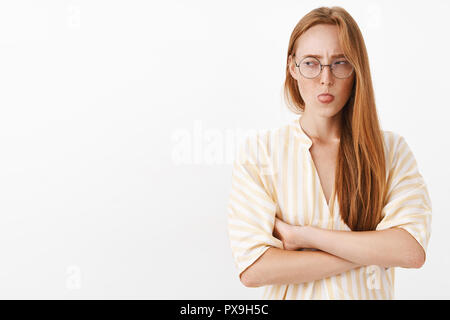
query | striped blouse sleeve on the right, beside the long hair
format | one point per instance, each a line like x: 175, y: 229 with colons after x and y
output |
x: 408, y: 204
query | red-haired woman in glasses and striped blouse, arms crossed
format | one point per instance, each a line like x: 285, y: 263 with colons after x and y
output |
x: 328, y: 205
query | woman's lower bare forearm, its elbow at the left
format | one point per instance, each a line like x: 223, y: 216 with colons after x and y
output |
x: 278, y: 266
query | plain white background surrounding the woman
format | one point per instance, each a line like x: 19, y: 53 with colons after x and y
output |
x: 118, y: 126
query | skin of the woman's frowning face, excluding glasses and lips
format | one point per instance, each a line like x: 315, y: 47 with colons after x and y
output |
x: 321, y: 40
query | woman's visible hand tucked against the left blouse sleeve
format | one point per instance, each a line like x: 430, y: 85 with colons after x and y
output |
x: 293, y: 237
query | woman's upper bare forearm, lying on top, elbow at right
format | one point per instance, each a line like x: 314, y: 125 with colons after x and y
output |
x: 388, y: 248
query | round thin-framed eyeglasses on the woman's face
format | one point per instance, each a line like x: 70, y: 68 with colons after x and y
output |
x: 310, y: 67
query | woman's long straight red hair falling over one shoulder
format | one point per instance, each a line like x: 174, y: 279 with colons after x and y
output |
x: 360, y: 179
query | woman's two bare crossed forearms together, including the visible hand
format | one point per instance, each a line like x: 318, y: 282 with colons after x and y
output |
x: 339, y: 251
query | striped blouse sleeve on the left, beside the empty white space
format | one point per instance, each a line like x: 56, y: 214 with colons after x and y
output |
x: 251, y: 209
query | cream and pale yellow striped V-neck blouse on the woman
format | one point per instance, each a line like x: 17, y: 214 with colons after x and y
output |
x: 274, y: 175
